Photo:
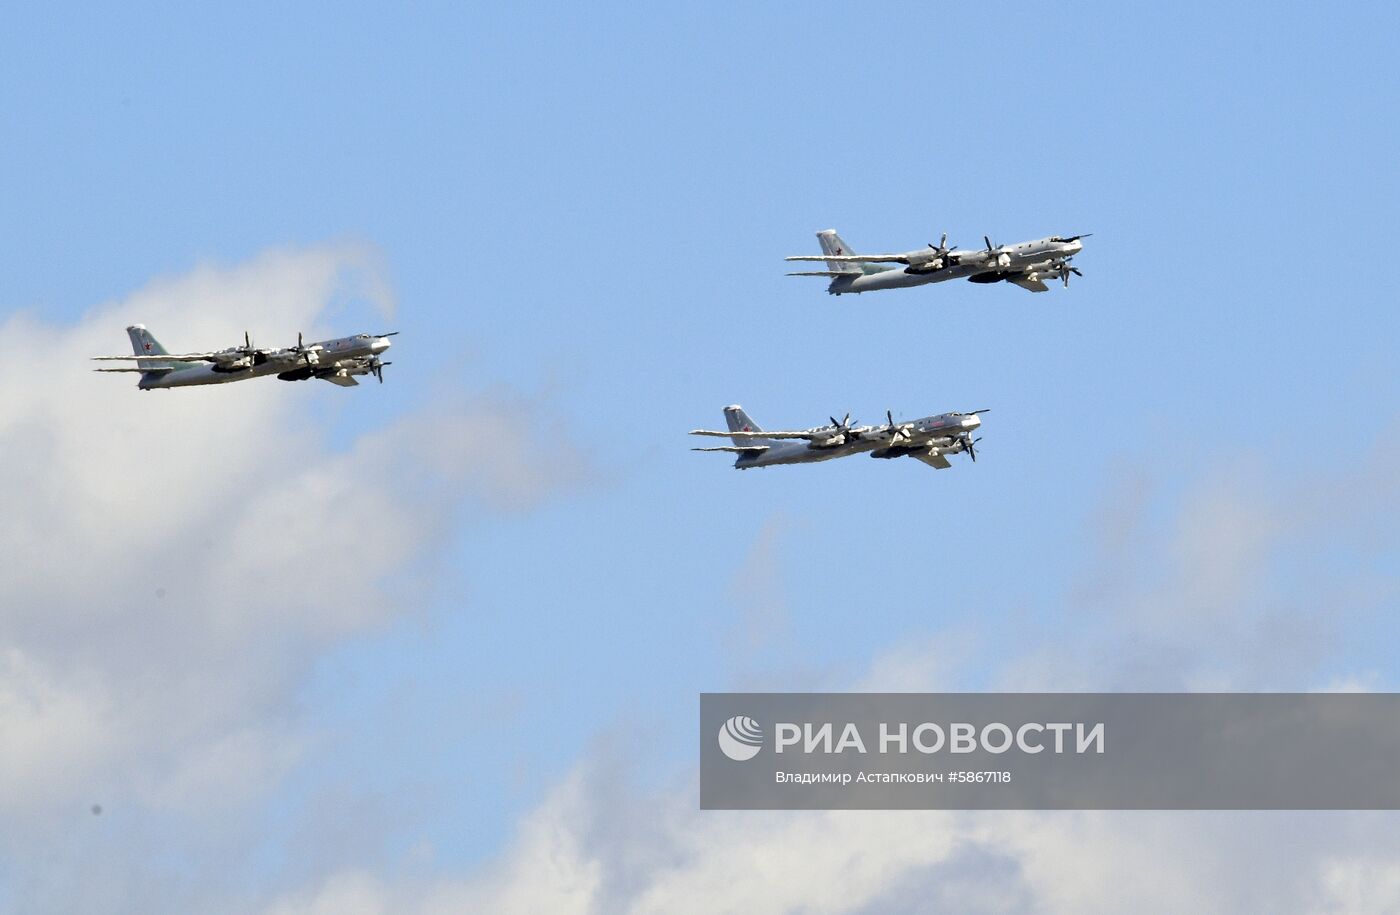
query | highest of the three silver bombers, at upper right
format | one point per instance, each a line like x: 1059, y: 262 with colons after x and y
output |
x: 1027, y: 265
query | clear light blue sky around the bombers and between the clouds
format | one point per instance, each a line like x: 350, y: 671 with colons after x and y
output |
x: 586, y: 209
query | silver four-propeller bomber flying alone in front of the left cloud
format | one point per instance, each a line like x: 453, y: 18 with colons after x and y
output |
x: 337, y: 362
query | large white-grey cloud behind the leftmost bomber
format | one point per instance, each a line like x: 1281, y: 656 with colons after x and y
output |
x: 177, y: 560
